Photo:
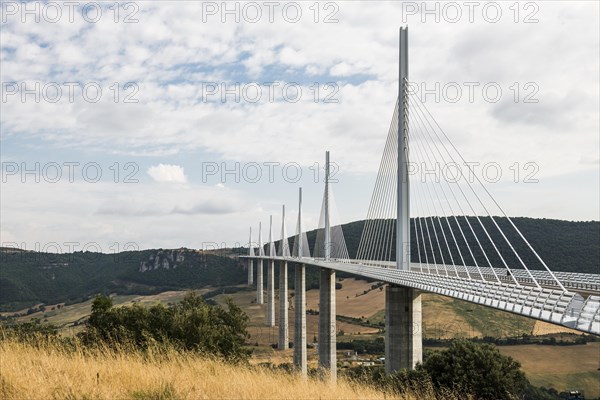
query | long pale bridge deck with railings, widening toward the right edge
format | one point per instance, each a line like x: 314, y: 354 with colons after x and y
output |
x: 547, y: 303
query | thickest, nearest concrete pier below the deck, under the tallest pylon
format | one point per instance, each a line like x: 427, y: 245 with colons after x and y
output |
x: 403, y: 334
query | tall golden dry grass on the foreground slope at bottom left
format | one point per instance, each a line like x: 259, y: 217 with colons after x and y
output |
x: 49, y: 370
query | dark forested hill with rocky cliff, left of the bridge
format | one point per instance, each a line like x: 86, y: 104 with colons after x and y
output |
x: 28, y: 278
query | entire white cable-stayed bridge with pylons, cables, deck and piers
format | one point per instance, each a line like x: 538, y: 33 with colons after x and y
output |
x: 423, y: 233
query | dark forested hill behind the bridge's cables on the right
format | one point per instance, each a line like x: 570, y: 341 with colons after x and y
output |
x: 563, y: 245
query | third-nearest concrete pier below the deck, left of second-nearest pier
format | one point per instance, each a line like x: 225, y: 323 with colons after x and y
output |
x: 300, y: 360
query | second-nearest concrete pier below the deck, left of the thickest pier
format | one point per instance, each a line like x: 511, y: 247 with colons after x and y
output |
x: 327, y: 325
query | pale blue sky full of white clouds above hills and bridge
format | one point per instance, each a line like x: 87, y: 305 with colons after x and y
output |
x: 181, y: 123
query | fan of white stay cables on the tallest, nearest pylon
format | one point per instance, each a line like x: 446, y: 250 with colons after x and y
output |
x: 453, y: 229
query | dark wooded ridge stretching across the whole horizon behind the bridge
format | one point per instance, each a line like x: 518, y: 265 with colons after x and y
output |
x: 30, y: 278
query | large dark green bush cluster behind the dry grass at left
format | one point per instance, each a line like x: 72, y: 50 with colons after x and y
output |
x: 191, y: 324
